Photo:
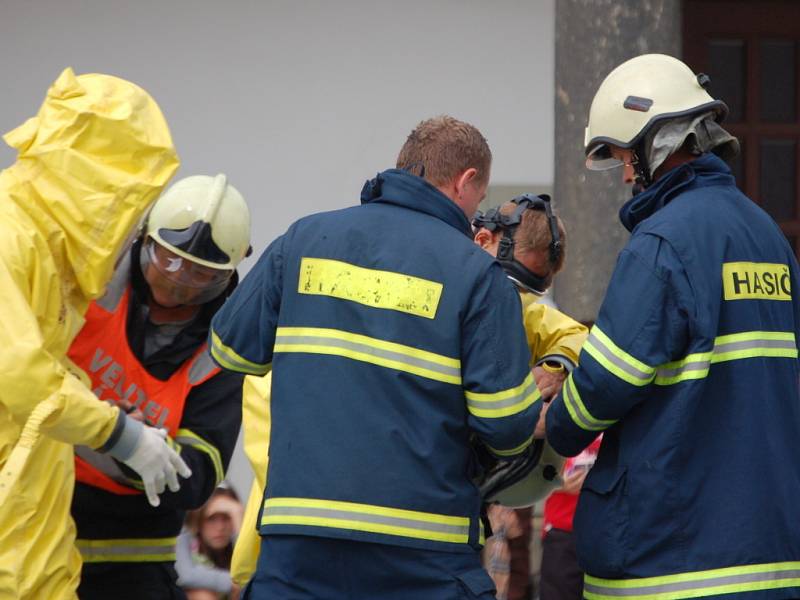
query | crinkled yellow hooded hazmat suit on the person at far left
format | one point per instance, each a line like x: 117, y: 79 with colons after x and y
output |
x: 89, y: 165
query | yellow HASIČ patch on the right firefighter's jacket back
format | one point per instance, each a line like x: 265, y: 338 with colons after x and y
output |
x: 756, y: 281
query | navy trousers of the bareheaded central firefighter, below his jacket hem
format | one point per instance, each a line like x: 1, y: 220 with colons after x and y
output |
x: 306, y: 568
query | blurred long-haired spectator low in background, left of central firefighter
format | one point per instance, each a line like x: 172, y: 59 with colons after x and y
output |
x: 205, y: 547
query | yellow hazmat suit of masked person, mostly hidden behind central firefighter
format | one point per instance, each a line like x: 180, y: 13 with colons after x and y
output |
x: 552, y: 336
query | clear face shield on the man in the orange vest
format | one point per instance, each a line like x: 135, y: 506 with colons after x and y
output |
x: 175, y: 280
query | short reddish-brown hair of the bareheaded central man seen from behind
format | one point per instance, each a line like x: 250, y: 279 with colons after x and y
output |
x: 445, y: 147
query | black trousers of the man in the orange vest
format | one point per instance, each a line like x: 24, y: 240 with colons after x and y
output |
x: 129, y: 581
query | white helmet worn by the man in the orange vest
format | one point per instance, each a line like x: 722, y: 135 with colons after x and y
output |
x: 202, y: 219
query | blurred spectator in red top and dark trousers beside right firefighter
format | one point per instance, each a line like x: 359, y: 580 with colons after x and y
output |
x: 561, y: 577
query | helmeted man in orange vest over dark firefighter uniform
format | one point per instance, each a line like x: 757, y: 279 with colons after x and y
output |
x: 144, y: 348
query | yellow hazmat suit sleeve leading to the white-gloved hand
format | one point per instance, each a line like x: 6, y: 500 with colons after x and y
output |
x: 30, y: 376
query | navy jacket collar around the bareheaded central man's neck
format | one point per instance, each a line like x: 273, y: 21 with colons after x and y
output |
x: 401, y: 188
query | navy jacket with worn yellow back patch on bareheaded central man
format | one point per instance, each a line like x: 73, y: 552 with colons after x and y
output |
x: 391, y: 336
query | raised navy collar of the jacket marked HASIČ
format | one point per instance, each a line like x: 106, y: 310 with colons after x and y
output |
x: 705, y: 170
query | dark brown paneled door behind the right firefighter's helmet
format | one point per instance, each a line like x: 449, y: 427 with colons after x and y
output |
x: 751, y: 51
